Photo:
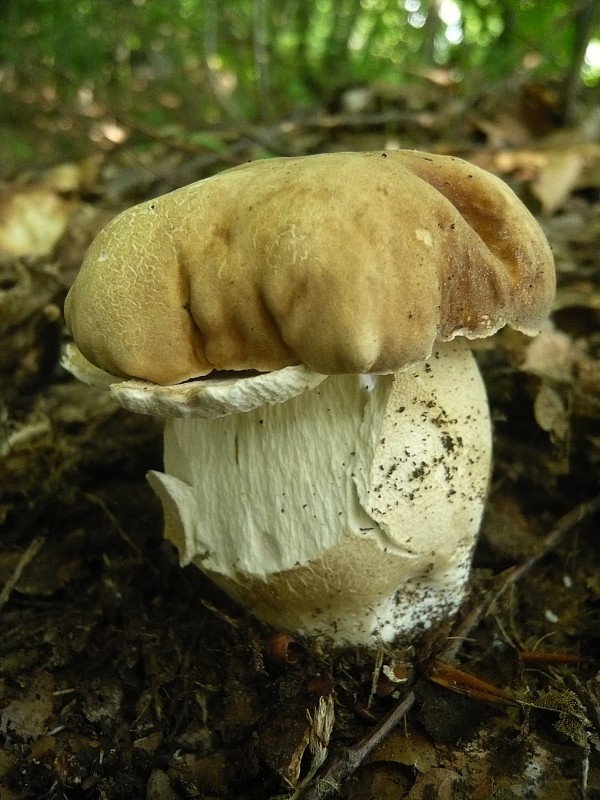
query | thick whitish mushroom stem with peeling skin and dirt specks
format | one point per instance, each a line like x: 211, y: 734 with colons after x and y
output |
x: 349, y: 511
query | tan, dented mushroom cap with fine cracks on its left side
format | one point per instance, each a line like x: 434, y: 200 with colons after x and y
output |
x: 343, y: 262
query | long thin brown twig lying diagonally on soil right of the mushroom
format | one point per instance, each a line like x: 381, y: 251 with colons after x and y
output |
x: 348, y: 761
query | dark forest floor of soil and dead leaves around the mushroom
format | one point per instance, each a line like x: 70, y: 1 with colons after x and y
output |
x: 124, y: 676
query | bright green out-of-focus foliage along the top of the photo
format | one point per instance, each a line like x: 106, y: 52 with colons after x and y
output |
x: 258, y: 58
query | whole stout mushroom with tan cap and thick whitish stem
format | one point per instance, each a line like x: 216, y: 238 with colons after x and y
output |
x: 301, y: 323
